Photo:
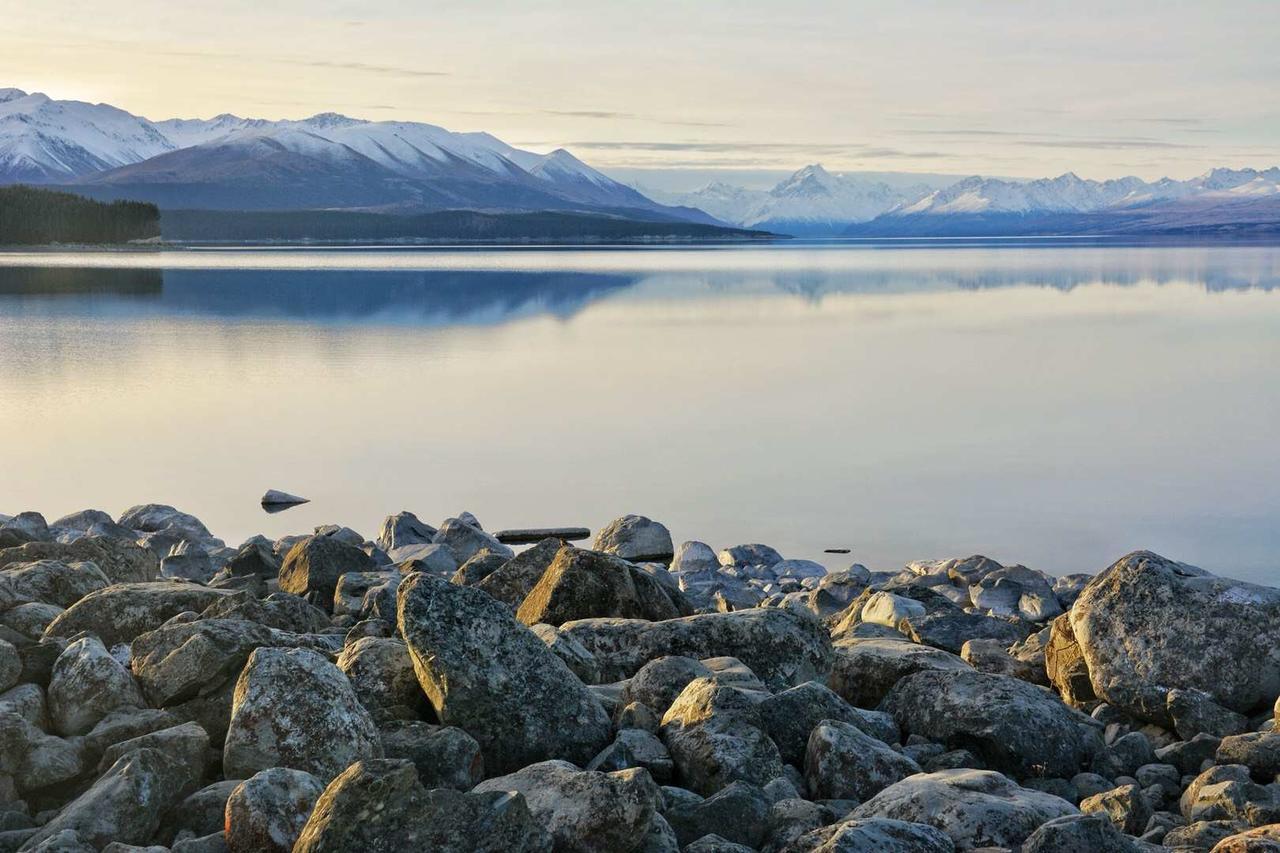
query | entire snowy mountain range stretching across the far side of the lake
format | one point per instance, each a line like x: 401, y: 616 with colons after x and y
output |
x: 335, y: 162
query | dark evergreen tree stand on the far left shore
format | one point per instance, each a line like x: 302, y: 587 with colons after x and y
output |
x: 33, y: 217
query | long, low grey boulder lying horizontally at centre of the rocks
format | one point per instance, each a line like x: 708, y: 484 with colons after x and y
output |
x: 783, y: 647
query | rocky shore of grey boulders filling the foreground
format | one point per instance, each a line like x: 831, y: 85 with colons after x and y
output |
x: 433, y: 690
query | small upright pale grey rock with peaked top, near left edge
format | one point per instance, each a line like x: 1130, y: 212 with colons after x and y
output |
x: 88, y: 685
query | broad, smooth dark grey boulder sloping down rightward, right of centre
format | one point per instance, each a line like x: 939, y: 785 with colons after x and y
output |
x: 1014, y: 727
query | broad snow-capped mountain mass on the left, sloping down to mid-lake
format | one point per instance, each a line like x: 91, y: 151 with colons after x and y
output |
x: 328, y: 161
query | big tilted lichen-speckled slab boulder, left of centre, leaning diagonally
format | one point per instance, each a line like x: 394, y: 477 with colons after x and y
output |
x: 490, y: 676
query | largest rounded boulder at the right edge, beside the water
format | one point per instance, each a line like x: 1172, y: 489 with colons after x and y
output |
x: 1148, y: 626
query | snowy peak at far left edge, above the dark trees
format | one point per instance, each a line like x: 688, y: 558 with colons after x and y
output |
x: 43, y: 140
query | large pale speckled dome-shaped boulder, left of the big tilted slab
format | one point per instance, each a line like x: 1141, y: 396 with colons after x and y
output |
x: 295, y: 709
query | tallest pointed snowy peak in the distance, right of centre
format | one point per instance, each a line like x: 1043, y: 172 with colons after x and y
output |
x: 811, y: 202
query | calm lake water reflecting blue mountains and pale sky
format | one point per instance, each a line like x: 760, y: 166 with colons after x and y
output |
x: 1041, y: 404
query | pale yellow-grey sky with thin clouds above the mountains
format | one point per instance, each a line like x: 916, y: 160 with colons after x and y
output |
x: 1162, y: 88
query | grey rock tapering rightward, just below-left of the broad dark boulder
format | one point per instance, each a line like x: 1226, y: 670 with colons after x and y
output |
x: 842, y: 763
